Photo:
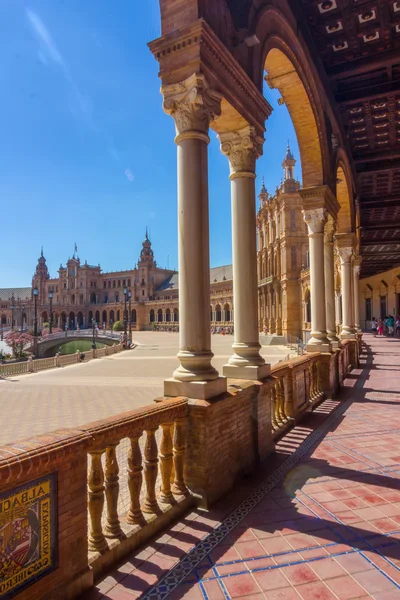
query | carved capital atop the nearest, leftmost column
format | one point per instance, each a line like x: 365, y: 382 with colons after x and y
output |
x: 192, y: 103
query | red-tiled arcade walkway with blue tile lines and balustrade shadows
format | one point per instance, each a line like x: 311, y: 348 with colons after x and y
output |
x: 320, y: 521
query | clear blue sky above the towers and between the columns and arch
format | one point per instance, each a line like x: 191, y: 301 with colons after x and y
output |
x: 86, y: 153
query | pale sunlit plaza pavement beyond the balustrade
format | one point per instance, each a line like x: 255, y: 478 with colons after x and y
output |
x: 82, y: 393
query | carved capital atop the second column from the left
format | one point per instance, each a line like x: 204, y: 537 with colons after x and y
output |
x: 242, y: 148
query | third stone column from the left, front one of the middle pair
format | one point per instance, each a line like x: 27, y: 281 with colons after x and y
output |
x: 315, y: 220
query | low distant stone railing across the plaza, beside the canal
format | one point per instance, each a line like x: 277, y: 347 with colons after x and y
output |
x: 59, y: 360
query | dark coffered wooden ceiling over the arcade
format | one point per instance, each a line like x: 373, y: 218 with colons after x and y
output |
x: 359, y: 44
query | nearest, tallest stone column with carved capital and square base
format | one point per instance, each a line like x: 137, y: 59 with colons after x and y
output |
x: 193, y: 105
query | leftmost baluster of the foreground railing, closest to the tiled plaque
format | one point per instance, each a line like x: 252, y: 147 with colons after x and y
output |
x: 96, y: 502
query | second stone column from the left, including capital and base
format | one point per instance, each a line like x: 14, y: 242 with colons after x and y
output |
x: 242, y: 148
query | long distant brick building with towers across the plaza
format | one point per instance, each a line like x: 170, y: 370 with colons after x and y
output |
x: 83, y: 293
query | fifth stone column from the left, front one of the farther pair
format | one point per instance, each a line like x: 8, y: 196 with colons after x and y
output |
x: 345, y: 248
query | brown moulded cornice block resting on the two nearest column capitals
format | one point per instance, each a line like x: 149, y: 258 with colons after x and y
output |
x: 197, y: 48
